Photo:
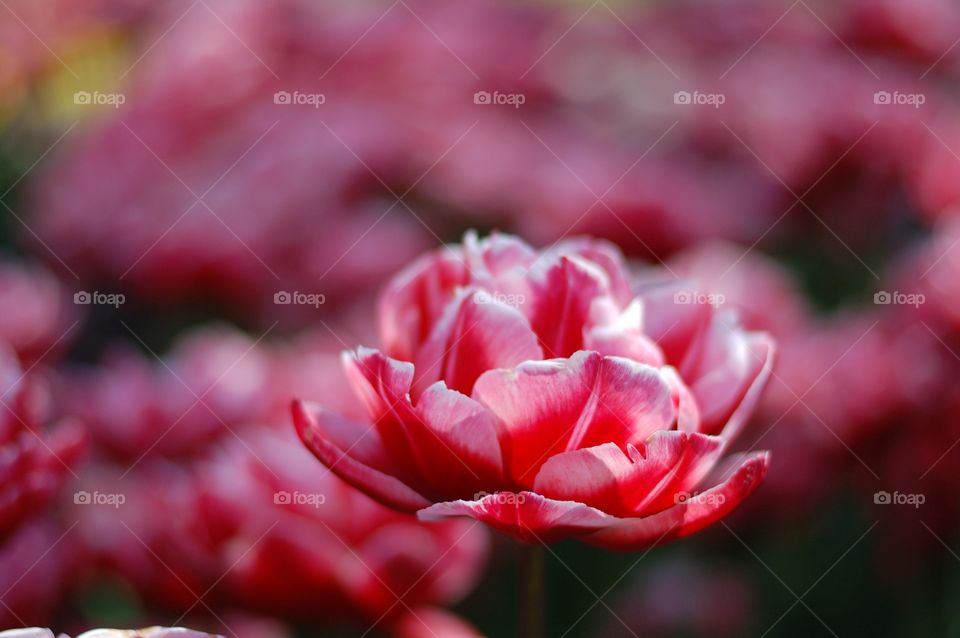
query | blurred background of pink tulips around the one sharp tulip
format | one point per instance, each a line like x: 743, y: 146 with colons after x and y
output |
x: 200, y: 200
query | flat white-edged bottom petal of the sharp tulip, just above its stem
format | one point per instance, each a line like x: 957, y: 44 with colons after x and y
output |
x: 526, y: 516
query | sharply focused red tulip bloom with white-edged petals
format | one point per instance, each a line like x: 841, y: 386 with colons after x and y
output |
x: 538, y: 393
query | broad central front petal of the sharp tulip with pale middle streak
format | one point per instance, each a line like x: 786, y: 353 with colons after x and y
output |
x: 548, y: 407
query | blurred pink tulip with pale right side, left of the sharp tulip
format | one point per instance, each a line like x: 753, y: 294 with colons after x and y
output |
x: 211, y: 380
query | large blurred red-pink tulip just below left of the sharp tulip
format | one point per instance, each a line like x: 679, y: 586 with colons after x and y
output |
x: 302, y: 541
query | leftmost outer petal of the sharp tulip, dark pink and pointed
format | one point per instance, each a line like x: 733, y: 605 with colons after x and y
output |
x: 355, y: 454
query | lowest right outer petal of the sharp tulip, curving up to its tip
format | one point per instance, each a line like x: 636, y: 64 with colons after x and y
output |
x: 687, y: 517
